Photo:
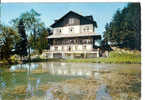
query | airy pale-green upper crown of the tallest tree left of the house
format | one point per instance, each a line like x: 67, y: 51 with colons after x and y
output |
x: 31, y: 22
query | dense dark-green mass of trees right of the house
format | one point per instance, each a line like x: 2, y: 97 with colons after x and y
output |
x: 124, y: 29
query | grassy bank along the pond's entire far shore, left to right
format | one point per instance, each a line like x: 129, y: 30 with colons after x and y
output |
x: 114, y: 57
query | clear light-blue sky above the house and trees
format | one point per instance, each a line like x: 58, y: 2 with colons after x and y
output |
x: 101, y: 12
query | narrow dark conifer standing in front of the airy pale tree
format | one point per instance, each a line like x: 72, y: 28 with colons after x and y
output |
x: 21, y: 46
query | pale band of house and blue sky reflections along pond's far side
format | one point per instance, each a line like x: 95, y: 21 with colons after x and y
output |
x: 60, y: 68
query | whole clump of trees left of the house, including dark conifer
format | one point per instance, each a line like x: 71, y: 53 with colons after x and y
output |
x: 32, y: 34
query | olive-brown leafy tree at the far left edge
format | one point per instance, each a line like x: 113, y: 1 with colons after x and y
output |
x: 8, y: 39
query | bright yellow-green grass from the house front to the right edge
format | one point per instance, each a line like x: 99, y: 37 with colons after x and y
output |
x: 114, y: 57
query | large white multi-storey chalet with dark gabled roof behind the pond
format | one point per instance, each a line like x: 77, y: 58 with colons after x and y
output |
x: 74, y: 36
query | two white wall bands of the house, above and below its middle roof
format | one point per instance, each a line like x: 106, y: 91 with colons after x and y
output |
x: 76, y: 29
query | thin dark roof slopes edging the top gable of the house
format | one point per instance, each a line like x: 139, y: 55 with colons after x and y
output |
x: 89, y: 18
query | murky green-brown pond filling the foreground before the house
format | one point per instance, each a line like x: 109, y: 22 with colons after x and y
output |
x: 70, y: 81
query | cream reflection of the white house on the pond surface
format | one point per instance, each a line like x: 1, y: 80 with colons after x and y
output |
x: 68, y: 69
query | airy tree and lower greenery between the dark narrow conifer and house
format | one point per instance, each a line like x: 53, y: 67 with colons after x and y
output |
x: 34, y: 28
